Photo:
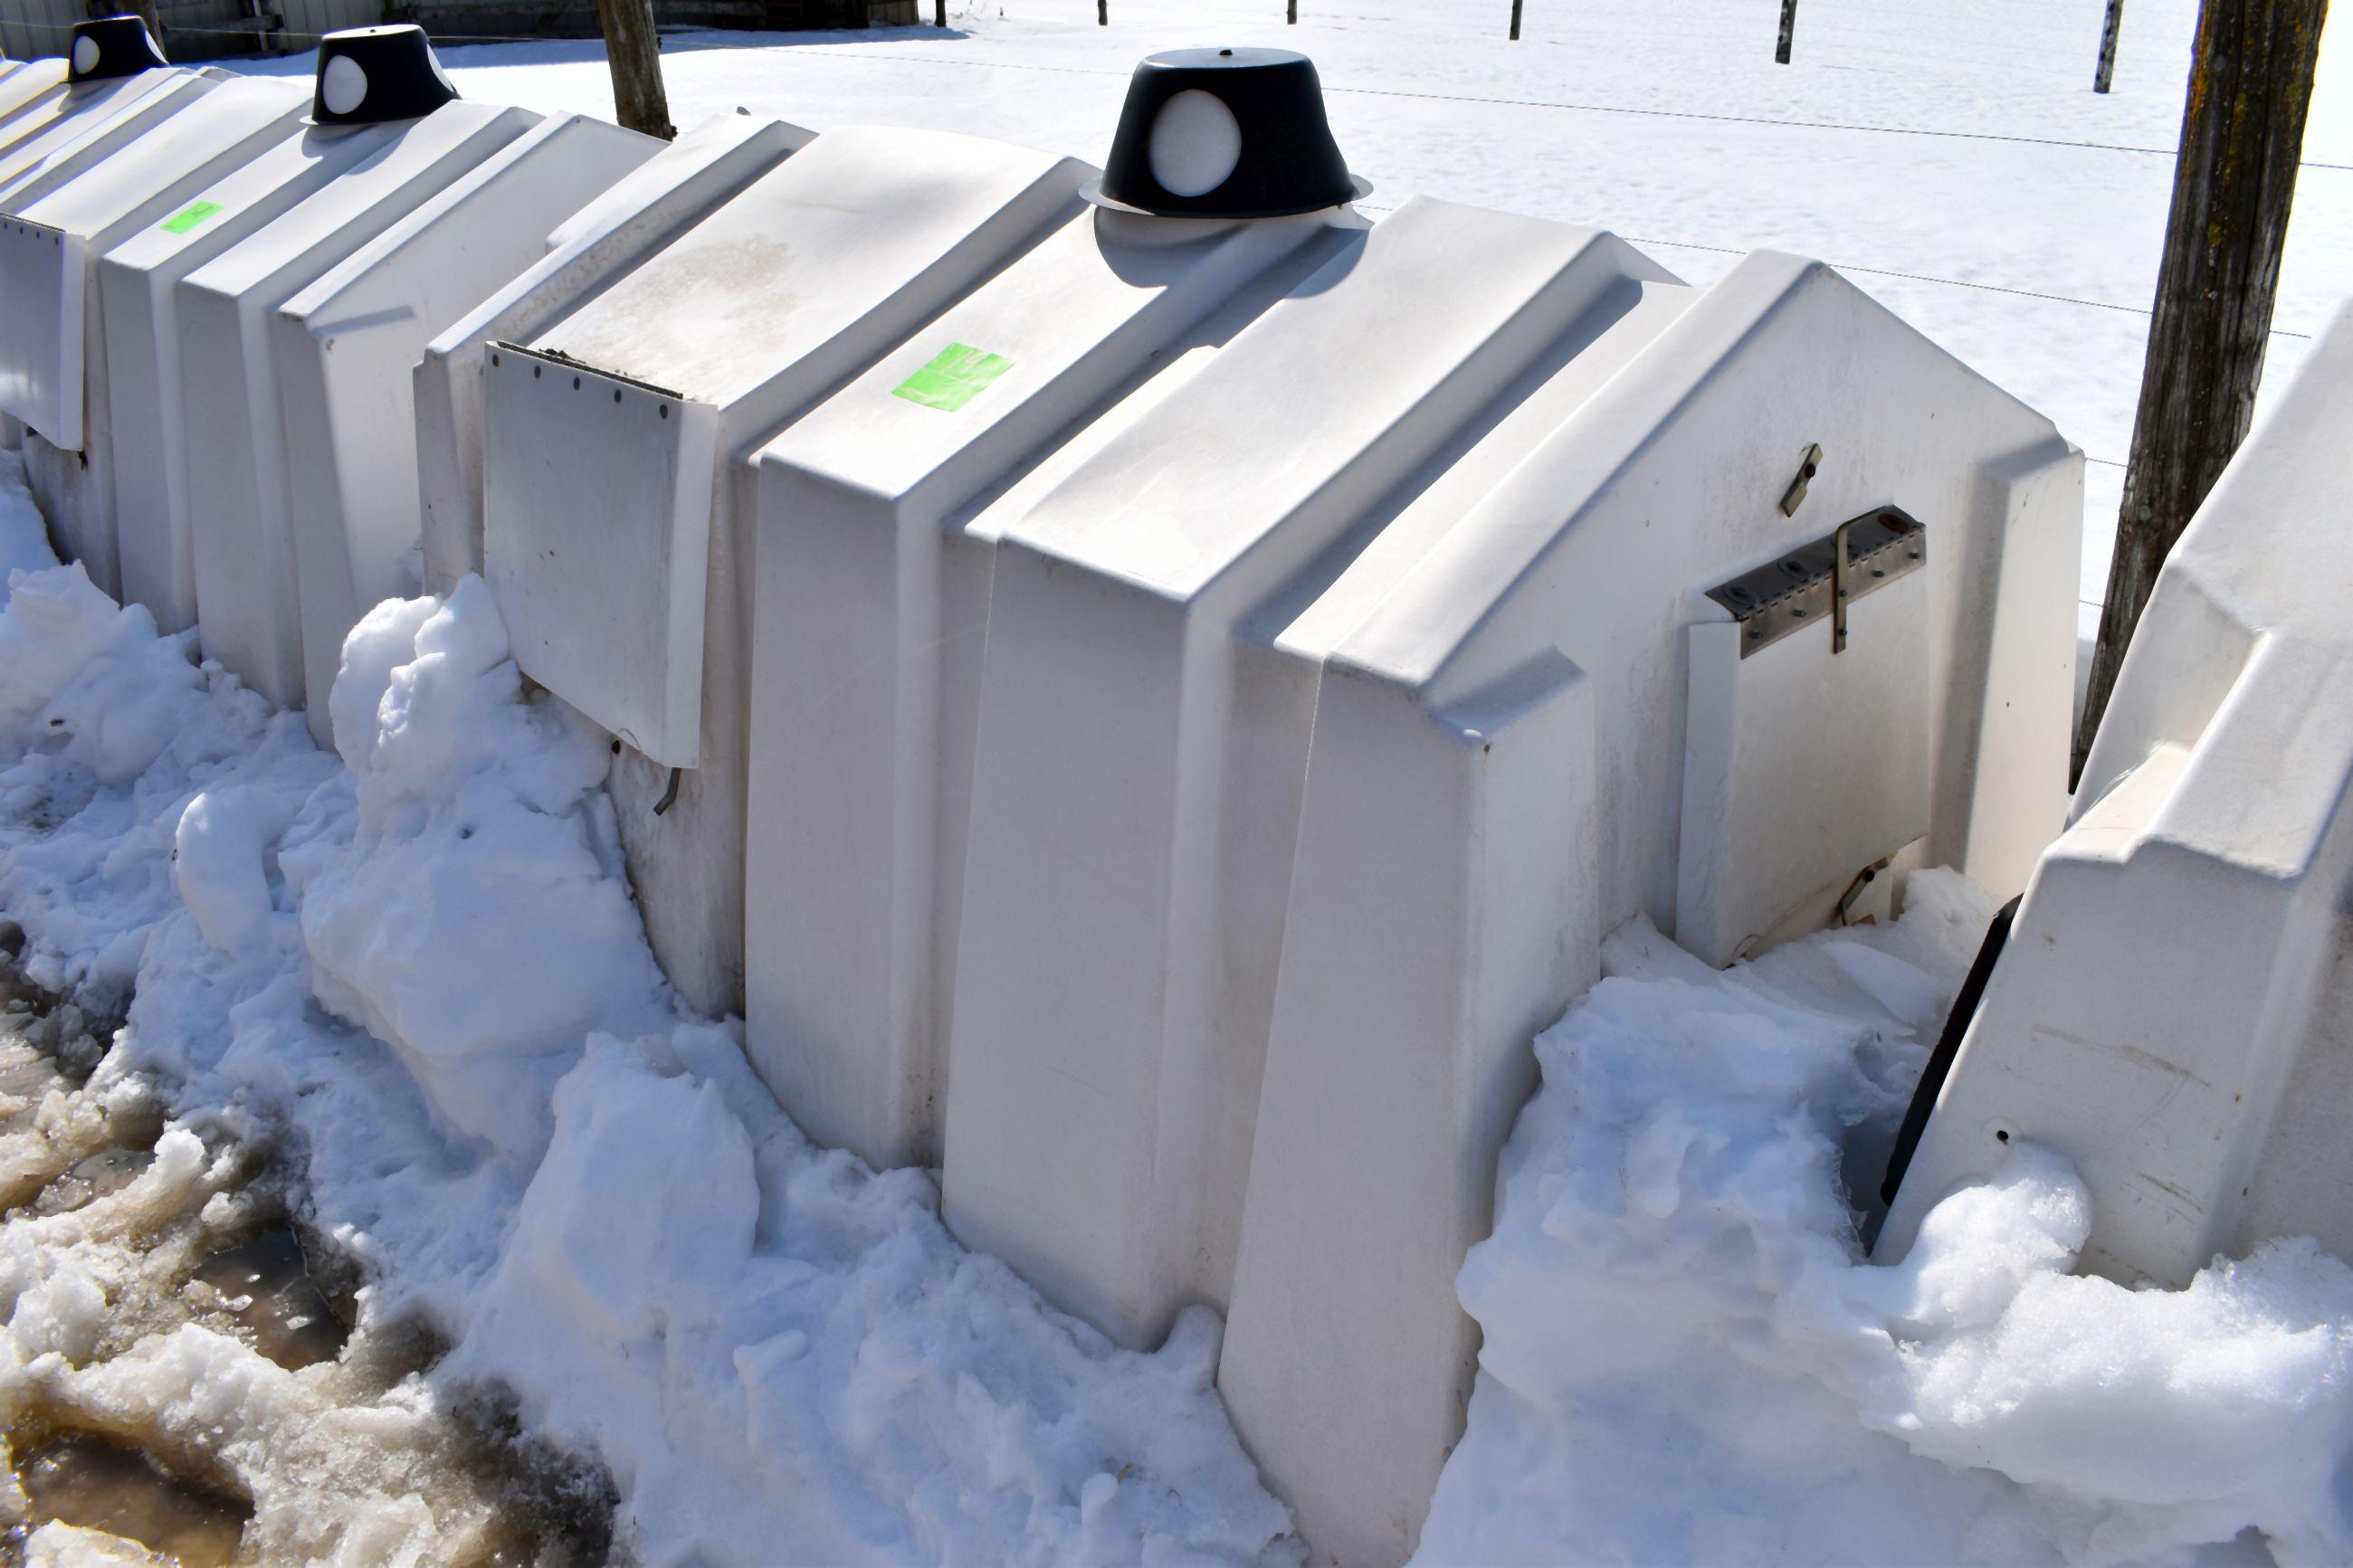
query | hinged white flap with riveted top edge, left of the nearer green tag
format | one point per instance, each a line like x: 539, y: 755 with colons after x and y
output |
x: 601, y: 582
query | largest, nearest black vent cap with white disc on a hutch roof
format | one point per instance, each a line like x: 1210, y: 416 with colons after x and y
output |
x: 1225, y: 135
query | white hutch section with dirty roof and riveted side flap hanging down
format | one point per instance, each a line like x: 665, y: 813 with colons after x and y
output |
x: 618, y: 485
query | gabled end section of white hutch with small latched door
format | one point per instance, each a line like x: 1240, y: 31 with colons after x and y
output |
x: 1615, y: 683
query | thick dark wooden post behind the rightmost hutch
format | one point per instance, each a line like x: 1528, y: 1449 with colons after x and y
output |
x: 2237, y: 177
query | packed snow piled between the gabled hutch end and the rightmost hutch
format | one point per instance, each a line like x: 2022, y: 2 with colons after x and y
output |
x: 1691, y: 1362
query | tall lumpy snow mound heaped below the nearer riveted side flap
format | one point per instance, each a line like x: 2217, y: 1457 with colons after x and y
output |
x: 467, y: 909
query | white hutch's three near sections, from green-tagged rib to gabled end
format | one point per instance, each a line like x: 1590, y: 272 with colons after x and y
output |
x: 1361, y: 643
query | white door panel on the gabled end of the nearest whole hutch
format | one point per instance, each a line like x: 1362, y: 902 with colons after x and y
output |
x: 1801, y: 765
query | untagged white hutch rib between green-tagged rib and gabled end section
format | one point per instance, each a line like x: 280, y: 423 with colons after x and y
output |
x: 1112, y: 991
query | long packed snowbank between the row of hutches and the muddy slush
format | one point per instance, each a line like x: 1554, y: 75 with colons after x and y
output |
x: 425, y: 970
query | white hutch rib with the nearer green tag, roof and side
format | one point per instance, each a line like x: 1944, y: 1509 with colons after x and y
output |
x: 869, y: 608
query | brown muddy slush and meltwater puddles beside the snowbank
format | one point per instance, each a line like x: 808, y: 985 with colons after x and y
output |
x: 180, y: 1388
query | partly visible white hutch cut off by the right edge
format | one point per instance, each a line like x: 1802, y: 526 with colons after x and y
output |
x: 2173, y: 1005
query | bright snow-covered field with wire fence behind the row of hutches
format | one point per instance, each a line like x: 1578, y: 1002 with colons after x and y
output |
x: 1947, y: 154
